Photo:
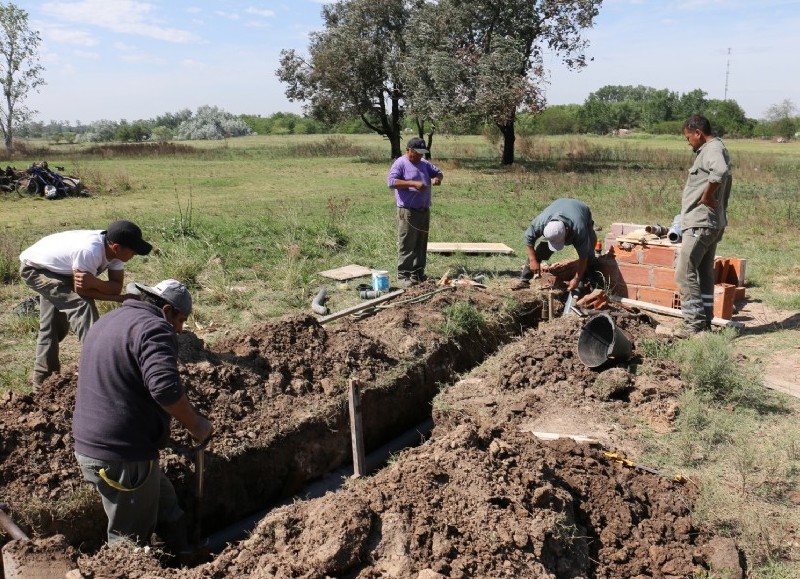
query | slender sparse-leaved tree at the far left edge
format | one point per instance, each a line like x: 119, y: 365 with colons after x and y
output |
x: 20, y: 71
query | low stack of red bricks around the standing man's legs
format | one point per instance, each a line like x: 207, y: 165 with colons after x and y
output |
x: 645, y: 271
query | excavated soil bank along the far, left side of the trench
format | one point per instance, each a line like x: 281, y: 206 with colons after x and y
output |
x: 253, y: 387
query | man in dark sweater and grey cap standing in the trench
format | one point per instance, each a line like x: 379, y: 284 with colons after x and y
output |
x: 128, y: 389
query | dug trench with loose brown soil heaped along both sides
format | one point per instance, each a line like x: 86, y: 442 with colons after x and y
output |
x: 484, y: 497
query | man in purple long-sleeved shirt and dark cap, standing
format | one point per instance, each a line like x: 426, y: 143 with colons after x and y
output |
x: 411, y: 177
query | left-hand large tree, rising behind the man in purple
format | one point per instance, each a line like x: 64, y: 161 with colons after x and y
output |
x: 352, y: 69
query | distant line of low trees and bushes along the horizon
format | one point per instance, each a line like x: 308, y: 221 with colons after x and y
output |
x: 609, y: 110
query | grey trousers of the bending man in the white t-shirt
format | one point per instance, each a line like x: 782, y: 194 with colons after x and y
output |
x: 60, y: 309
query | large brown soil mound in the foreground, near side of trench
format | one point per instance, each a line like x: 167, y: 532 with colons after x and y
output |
x: 470, y: 503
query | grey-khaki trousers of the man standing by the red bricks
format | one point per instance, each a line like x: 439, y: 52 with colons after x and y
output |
x: 694, y: 274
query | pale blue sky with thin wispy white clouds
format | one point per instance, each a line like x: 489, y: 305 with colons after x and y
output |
x: 131, y: 59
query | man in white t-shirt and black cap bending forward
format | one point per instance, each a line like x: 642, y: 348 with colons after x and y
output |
x: 63, y: 269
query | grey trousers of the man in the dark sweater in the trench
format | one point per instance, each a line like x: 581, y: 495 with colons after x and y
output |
x: 138, y: 496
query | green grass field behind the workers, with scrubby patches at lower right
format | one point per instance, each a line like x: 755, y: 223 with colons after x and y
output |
x: 247, y: 223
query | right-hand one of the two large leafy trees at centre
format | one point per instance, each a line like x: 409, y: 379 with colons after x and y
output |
x: 484, y: 57
